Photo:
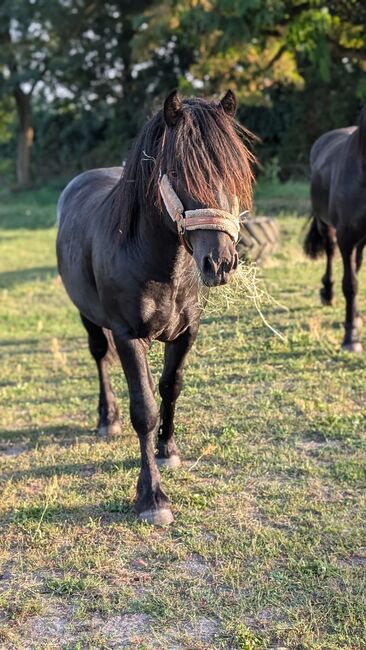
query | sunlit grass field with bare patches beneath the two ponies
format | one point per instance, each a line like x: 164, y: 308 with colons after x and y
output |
x: 267, y: 549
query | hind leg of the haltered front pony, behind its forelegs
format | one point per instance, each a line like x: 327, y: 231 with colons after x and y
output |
x: 109, y: 422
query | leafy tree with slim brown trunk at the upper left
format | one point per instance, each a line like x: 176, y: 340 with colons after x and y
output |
x: 77, y: 48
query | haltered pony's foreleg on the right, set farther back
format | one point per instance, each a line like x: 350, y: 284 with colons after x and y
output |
x: 170, y: 386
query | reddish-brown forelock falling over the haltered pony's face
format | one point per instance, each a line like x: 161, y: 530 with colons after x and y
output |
x: 206, y: 150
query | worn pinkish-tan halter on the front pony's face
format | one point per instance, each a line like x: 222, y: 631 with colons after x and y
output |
x: 201, y: 219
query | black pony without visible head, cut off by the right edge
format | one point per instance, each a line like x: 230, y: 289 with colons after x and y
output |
x: 338, y: 197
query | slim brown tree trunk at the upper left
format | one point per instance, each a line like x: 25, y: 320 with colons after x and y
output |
x: 25, y: 138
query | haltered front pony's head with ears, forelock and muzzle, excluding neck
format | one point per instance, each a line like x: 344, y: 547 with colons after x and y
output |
x: 204, y: 176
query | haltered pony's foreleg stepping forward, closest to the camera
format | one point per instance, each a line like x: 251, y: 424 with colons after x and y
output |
x: 152, y: 504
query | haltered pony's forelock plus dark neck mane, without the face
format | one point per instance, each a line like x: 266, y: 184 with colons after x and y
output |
x: 205, y: 150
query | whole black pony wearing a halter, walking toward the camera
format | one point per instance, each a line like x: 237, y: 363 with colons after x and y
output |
x: 133, y: 246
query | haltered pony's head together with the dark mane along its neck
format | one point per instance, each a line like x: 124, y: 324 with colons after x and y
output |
x: 191, y: 156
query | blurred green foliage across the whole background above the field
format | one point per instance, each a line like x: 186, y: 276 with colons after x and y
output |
x: 97, y: 69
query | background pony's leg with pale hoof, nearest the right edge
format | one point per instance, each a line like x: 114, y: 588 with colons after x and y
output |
x: 351, y: 341
